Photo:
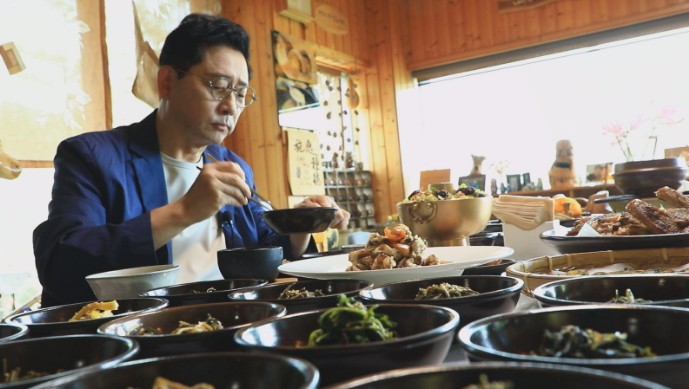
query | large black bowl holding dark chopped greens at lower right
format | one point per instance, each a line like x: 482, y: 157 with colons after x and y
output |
x: 515, y: 336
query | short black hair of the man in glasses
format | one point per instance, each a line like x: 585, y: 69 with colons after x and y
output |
x: 185, y: 46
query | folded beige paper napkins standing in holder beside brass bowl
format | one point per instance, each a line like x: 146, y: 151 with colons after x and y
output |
x: 524, y: 212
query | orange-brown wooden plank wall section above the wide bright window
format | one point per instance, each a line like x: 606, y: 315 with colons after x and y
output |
x: 478, y: 29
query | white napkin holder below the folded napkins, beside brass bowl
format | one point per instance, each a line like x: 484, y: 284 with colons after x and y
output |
x: 528, y: 244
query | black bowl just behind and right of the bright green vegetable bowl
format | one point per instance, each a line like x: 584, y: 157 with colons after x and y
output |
x: 497, y: 294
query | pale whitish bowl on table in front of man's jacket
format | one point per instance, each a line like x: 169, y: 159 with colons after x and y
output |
x: 128, y: 283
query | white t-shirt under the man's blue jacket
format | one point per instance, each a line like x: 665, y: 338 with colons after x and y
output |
x: 194, y: 249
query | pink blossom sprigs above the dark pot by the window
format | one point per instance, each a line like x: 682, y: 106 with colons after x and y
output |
x: 638, y: 137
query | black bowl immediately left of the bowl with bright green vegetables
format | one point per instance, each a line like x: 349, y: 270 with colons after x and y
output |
x: 232, y: 315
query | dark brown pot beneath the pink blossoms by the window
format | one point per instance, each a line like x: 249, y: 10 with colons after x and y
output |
x: 643, y: 178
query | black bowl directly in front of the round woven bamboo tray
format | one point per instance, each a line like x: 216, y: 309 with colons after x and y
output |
x: 659, y: 289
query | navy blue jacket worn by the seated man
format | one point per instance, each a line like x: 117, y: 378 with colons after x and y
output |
x: 105, y: 185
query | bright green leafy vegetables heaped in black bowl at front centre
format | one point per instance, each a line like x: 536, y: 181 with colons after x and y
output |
x: 351, y: 322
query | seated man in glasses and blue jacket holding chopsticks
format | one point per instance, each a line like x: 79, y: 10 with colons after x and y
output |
x: 163, y: 190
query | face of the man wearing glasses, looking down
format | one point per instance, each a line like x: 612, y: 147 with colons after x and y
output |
x: 202, y: 119
